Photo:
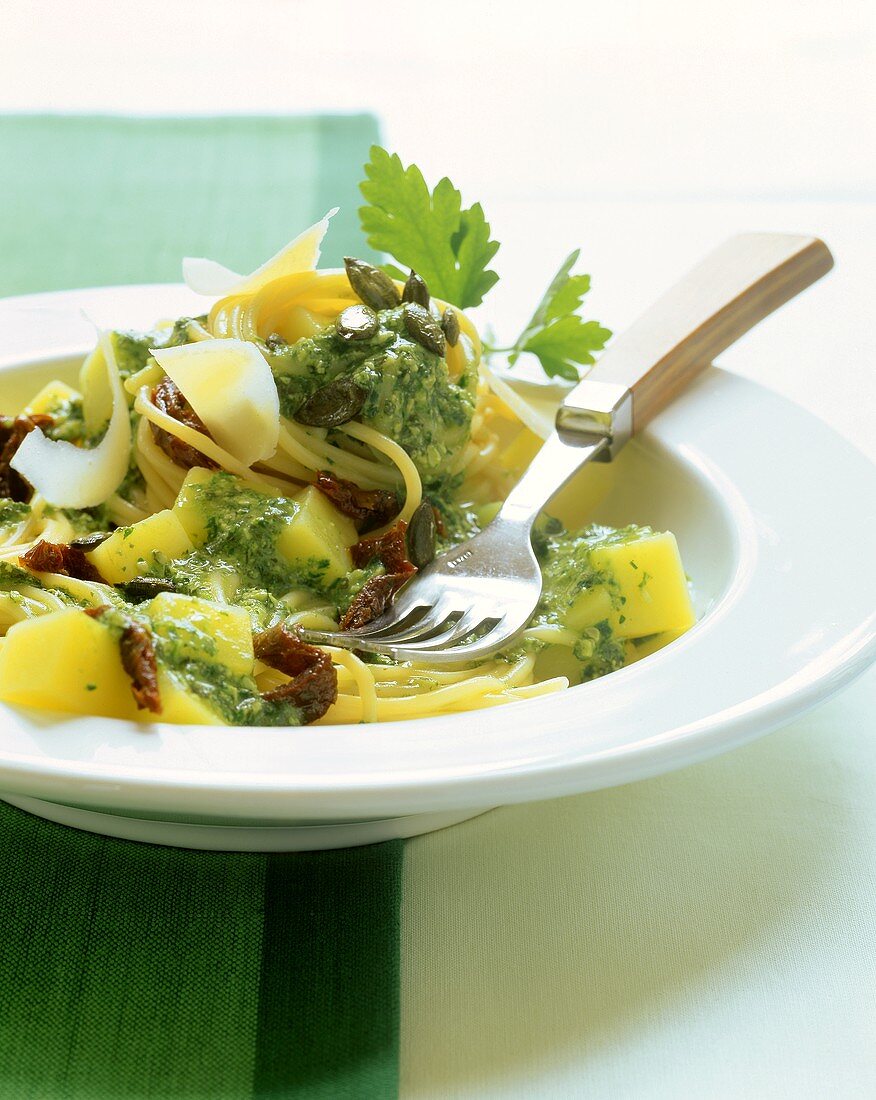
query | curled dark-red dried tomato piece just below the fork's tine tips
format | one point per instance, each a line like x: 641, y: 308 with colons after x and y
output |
x: 314, y: 684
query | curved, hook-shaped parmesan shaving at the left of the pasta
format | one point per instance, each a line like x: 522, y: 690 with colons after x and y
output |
x: 72, y: 477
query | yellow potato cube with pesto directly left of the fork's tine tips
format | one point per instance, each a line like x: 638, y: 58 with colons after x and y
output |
x: 205, y: 631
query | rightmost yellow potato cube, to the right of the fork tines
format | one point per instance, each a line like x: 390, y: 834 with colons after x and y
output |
x: 652, y: 593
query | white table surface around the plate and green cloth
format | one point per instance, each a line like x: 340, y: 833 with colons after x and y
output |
x: 704, y: 934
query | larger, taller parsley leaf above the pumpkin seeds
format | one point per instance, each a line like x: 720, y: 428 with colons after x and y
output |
x: 430, y: 233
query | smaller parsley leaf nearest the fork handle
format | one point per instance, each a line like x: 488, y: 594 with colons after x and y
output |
x: 561, y: 339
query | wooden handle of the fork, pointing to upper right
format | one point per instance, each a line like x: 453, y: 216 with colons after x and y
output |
x: 738, y: 285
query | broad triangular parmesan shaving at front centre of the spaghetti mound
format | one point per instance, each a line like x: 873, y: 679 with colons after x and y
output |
x: 231, y: 387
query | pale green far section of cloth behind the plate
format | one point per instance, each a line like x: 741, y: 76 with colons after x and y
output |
x: 95, y: 202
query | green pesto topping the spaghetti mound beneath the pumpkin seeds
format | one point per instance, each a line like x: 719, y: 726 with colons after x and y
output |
x: 410, y: 394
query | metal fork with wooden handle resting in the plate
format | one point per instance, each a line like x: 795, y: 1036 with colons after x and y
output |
x: 478, y: 598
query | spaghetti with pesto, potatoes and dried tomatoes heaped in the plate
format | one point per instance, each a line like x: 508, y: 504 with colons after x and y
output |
x: 204, y: 558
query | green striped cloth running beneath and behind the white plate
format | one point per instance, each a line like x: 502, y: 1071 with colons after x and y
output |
x: 132, y: 971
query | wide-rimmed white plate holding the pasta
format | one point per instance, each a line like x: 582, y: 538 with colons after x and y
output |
x: 773, y: 512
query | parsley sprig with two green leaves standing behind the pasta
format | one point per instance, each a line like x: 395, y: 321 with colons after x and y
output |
x: 451, y: 248
